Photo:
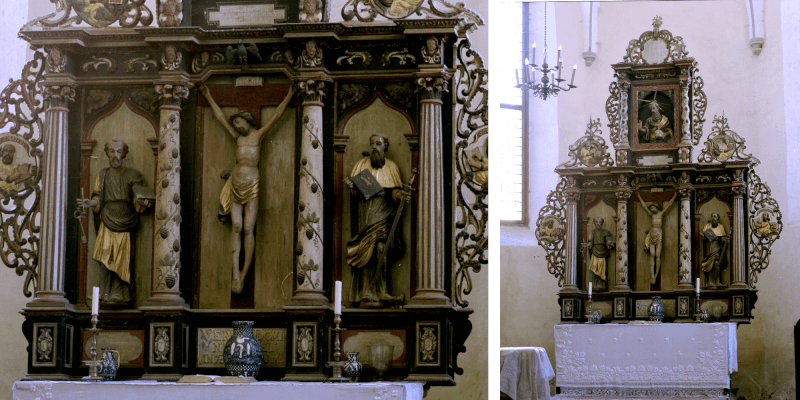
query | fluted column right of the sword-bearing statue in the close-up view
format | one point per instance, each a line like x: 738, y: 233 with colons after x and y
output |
x: 430, y: 238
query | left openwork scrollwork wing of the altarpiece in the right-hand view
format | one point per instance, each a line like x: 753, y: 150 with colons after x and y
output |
x: 550, y: 230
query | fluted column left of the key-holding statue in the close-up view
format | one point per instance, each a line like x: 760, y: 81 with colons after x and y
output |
x: 50, y: 284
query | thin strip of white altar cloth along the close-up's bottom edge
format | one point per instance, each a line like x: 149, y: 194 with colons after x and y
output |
x: 137, y: 390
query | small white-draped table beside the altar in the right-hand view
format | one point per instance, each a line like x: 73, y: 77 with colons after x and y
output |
x: 525, y: 373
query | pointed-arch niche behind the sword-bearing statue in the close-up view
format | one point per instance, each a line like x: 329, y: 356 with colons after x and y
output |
x: 376, y: 115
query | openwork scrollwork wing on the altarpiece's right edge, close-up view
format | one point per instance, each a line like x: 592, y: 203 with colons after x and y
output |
x: 471, y: 185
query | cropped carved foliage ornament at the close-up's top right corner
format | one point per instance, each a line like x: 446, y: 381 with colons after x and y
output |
x: 367, y: 10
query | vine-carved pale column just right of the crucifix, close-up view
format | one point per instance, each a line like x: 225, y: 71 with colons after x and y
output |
x: 309, y: 264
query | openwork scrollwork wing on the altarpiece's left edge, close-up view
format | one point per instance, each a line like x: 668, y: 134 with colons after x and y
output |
x: 21, y: 127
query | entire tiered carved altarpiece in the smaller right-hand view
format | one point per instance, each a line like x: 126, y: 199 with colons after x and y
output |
x: 656, y: 113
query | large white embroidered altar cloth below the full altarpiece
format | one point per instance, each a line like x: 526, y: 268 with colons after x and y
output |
x: 658, y: 360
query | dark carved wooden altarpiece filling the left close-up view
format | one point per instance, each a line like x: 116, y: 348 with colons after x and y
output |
x: 102, y: 72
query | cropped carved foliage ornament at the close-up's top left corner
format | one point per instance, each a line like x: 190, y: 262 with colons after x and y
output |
x: 128, y: 13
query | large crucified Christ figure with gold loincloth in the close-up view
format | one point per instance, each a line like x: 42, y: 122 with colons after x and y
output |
x: 239, y: 196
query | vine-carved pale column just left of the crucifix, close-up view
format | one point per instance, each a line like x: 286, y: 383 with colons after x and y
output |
x: 166, y: 272
